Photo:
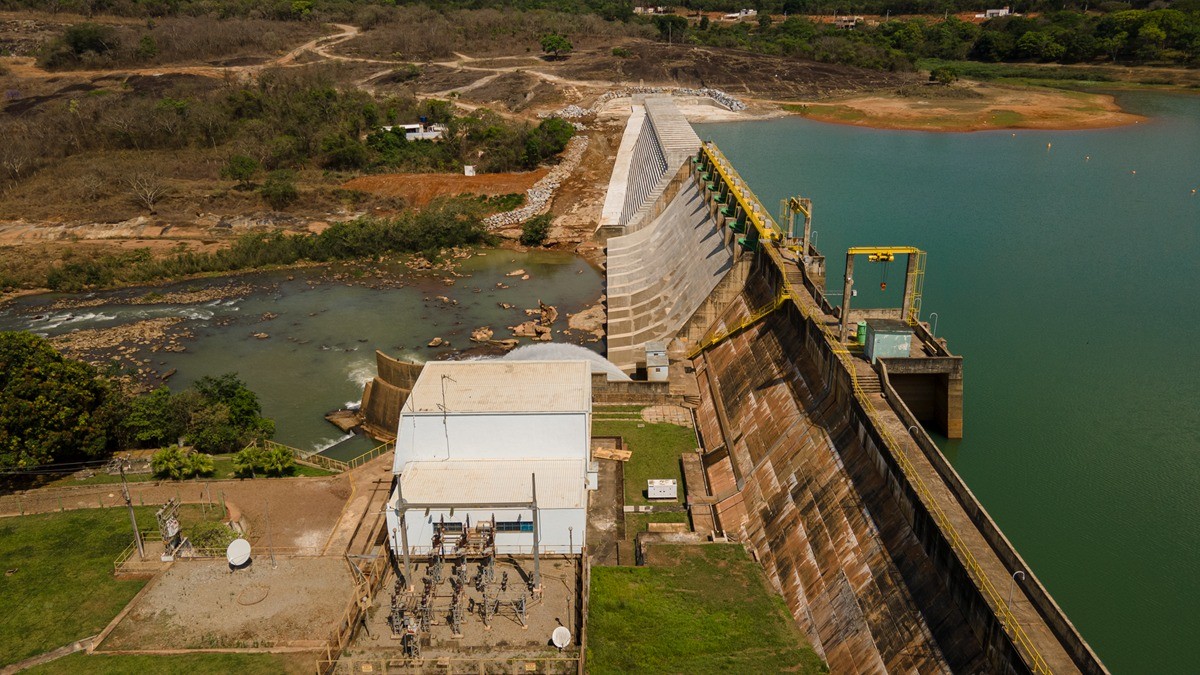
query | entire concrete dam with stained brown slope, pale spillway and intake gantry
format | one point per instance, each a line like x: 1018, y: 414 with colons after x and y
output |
x: 812, y: 416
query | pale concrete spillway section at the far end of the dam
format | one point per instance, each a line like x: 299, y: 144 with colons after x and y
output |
x: 671, y: 256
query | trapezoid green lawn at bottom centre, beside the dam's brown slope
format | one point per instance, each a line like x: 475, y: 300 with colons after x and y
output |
x: 698, y: 610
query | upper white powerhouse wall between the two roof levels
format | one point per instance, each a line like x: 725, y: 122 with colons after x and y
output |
x: 502, y: 437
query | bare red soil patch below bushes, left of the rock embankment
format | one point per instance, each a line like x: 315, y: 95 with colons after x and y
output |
x: 421, y: 189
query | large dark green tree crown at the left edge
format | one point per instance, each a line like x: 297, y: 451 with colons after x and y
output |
x: 53, y: 409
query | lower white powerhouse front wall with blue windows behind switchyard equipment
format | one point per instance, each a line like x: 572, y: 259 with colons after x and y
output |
x: 562, y: 531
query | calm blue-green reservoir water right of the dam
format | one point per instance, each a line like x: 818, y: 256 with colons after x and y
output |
x: 1065, y: 267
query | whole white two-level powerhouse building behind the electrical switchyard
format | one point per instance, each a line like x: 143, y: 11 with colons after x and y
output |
x: 476, y: 438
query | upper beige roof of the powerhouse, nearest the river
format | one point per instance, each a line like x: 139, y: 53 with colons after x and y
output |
x: 501, y: 386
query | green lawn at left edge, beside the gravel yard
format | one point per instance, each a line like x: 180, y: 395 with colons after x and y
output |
x: 63, y: 588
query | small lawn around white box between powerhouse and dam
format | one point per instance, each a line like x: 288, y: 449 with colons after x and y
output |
x: 657, y: 450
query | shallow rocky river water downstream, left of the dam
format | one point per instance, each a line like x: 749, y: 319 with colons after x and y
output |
x: 322, y: 338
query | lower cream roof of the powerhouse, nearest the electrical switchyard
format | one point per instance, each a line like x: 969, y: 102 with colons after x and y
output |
x: 561, y: 483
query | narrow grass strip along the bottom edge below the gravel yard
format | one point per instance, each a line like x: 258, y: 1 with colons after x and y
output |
x: 178, y: 665
